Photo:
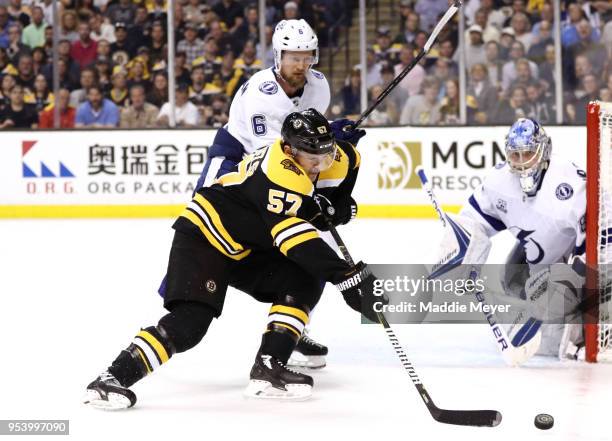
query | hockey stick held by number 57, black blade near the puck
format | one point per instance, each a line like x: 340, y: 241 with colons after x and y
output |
x: 489, y: 418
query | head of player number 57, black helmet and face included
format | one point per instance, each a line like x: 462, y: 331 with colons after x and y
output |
x: 310, y: 137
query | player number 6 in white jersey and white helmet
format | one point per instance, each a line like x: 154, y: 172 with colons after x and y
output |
x: 256, y: 116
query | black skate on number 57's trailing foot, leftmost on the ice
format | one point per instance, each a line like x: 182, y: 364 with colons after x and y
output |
x: 105, y: 392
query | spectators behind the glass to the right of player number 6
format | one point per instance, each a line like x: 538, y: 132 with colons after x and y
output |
x: 509, y: 59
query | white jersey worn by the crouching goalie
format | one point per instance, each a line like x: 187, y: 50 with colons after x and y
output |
x: 550, y: 225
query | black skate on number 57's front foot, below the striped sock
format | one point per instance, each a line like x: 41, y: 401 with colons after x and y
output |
x: 271, y: 379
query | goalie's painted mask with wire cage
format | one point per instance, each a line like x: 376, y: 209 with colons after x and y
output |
x: 528, y: 150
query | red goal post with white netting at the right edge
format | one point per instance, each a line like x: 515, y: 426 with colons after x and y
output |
x: 598, y: 324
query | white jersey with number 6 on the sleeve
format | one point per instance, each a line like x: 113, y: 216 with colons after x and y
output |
x: 260, y: 107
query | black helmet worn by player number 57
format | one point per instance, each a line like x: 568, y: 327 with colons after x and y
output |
x: 308, y: 131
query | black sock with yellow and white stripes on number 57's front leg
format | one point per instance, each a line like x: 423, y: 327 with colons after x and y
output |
x: 285, y: 326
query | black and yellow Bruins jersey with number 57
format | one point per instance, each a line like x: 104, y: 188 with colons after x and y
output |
x: 266, y: 204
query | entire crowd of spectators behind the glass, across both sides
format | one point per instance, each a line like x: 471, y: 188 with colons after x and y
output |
x: 113, y: 59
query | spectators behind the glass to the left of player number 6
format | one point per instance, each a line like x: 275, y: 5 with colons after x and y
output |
x: 113, y: 59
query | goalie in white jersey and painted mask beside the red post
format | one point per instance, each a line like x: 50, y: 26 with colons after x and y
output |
x: 541, y: 200
